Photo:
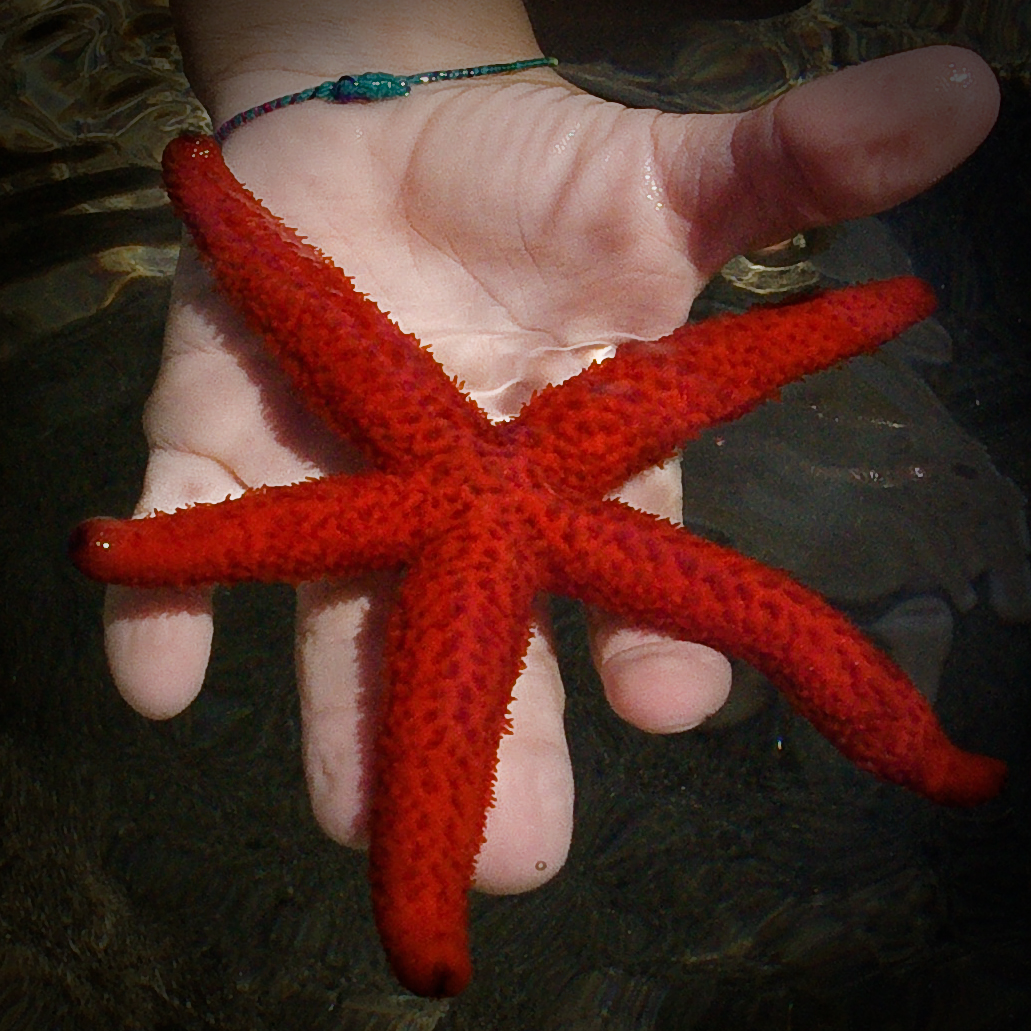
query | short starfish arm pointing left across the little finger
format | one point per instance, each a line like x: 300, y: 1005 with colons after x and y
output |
x: 336, y: 527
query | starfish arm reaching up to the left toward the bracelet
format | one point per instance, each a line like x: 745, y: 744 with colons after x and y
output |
x: 394, y: 402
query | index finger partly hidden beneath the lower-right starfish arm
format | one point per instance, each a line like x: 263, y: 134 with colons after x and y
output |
x: 657, y: 683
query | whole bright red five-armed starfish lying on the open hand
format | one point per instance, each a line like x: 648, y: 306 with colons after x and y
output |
x: 484, y: 517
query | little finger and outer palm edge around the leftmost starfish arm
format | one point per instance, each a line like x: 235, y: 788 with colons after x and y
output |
x: 205, y: 425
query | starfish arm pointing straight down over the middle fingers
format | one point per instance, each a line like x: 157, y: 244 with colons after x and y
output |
x: 456, y: 644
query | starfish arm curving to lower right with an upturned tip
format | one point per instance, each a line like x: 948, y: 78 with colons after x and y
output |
x: 696, y: 590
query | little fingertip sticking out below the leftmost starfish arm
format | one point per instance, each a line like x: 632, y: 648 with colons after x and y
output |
x: 158, y: 647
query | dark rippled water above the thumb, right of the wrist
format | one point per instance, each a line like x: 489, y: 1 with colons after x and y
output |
x: 658, y: 55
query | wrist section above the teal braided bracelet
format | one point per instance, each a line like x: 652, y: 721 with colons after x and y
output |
x: 243, y: 53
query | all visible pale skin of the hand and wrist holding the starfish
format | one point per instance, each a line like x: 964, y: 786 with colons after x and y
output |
x: 520, y: 229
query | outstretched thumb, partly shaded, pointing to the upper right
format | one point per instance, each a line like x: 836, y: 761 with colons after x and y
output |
x: 849, y: 145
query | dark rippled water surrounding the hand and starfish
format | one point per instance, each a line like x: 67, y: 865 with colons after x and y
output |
x: 160, y: 876
